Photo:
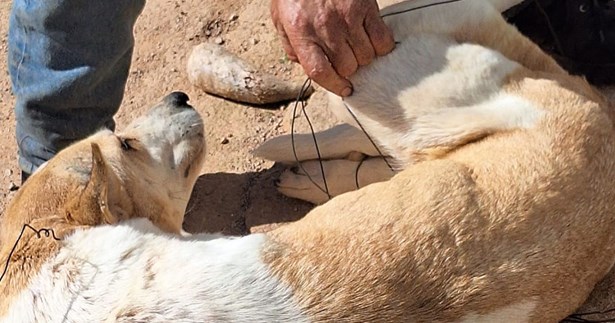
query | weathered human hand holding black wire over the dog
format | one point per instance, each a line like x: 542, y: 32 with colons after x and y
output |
x: 331, y: 38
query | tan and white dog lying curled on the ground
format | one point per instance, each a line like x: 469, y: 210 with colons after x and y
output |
x: 503, y: 209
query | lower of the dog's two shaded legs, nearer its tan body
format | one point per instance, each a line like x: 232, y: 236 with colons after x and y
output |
x: 342, y: 176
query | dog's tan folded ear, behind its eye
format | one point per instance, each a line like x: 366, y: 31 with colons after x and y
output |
x: 91, y: 204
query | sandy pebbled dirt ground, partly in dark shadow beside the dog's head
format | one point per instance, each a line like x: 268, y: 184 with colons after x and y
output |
x: 235, y: 192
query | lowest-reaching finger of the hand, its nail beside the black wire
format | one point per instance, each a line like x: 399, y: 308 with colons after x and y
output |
x: 317, y: 66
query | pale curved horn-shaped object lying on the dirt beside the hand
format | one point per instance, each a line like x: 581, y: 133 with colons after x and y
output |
x: 219, y: 72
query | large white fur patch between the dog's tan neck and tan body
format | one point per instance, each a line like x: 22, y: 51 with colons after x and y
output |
x: 134, y: 272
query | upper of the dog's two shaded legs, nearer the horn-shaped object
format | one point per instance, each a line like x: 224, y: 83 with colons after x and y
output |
x: 335, y: 143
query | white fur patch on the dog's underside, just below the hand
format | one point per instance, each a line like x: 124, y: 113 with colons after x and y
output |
x: 424, y: 116
